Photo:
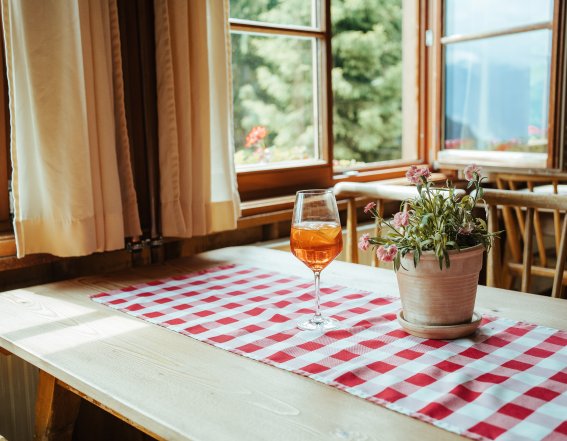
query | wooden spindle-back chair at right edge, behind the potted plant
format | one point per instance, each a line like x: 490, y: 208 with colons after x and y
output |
x: 527, y: 204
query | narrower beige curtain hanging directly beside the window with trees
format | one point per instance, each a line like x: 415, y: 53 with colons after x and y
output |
x: 198, y: 181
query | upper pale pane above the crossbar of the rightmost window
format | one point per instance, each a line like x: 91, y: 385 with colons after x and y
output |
x: 473, y: 16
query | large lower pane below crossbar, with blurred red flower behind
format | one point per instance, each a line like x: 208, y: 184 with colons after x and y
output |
x: 274, y: 100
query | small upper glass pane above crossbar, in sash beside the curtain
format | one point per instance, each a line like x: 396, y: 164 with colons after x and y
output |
x: 284, y: 12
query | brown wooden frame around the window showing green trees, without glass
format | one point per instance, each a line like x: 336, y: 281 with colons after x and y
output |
x: 286, y: 180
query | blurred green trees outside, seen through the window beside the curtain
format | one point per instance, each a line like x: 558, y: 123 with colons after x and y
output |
x: 273, y: 82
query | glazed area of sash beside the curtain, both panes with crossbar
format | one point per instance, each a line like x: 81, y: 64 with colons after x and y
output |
x: 277, y: 64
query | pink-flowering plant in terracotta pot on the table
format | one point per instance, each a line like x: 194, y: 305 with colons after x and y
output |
x: 436, y: 244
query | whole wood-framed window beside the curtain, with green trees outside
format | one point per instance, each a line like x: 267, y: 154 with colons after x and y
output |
x: 322, y: 87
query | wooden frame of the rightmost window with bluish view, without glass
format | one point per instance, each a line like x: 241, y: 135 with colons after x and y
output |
x: 556, y: 162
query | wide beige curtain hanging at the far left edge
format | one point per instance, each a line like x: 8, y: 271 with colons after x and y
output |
x: 72, y: 180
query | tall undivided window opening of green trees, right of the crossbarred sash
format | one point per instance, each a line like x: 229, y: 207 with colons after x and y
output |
x: 367, y: 81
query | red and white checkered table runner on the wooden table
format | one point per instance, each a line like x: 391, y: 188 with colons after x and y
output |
x: 506, y: 382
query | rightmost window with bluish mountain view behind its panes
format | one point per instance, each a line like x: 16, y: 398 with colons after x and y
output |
x: 499, y: 73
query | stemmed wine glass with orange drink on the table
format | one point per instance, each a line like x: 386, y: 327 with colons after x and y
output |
x: 316, y: 239
